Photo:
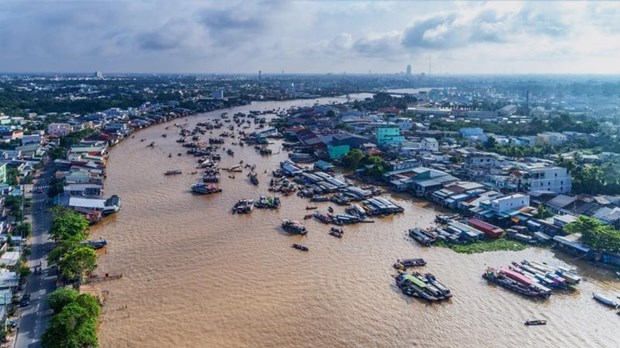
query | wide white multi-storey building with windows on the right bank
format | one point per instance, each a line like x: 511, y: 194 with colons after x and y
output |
x: 553, y: 179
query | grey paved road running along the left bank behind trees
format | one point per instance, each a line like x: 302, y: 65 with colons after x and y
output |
x: 34, y: 318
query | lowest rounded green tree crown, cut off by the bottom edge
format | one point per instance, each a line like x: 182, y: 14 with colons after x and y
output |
x: 72, y: 327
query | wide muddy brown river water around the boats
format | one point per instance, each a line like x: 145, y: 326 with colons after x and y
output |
x: 194, y: 275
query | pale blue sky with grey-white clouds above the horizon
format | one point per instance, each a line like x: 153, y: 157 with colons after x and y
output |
x: 328, y: 36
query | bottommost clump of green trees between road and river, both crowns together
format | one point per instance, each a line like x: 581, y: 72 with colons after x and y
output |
x: 74, y: 322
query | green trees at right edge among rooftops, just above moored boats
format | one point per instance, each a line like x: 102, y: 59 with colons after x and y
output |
x: 595, y: 234
